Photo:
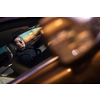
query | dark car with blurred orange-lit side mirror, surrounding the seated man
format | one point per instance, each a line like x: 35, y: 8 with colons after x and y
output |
x: 74, y: 45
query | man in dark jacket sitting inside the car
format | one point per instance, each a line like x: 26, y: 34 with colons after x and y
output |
x: 29, y: 55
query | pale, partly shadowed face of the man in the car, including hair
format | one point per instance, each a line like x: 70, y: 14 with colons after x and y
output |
x: 19, y: 43
